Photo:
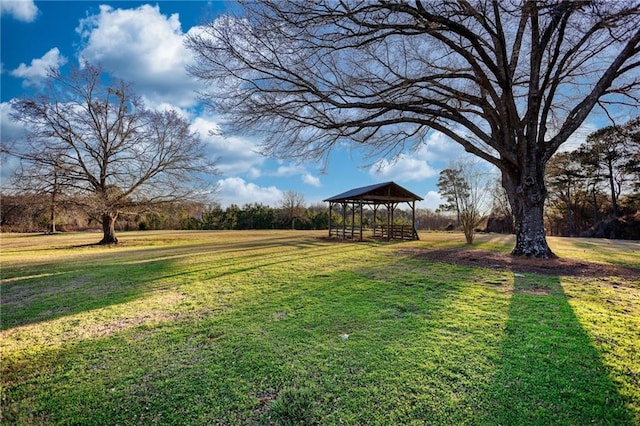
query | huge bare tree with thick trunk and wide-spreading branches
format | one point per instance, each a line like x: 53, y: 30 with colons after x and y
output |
x: 508, y: 80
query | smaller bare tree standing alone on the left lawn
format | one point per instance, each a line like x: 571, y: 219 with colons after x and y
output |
x: 93, y: 137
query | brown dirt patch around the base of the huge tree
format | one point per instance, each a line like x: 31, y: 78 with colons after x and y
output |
x: 491, y: 259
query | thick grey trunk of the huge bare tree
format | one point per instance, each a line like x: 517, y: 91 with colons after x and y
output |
x: 527, y: 193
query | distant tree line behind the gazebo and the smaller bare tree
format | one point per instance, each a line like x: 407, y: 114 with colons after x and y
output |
x: 29, y: 212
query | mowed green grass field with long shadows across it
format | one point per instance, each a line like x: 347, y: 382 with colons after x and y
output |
x: 284, y: 327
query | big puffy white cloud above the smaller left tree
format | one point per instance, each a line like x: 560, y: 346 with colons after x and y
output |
x: 142, y: 46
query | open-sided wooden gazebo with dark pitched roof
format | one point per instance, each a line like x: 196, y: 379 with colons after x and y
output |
x: 388, y: 195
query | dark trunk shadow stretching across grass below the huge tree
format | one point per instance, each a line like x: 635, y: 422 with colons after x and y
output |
x: 549, y: 370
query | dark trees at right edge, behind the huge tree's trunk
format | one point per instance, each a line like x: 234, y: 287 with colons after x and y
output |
x: 596, y: 184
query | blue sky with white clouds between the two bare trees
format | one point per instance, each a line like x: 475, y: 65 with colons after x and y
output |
x: 142, y: 42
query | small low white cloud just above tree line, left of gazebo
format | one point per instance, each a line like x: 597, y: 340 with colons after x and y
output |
x: 235, y: 190
